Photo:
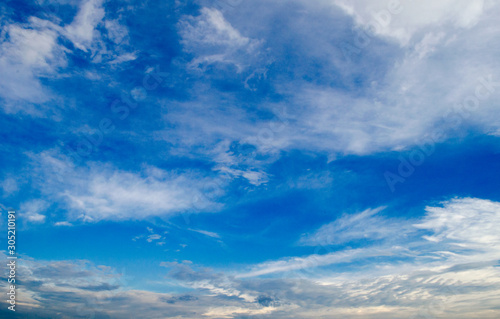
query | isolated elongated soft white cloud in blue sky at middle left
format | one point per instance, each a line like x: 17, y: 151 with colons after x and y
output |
x: 100, y: 192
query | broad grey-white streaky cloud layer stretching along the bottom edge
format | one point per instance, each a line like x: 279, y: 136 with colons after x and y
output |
x: 457, y: 277
